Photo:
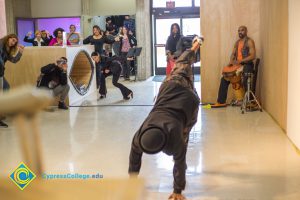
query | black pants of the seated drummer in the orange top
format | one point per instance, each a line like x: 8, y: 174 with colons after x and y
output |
x: 223, y: 89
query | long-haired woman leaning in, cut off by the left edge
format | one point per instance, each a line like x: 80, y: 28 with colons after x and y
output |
x: 9, y: 50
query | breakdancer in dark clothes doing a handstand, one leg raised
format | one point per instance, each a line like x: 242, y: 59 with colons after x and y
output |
x: 169, y: 123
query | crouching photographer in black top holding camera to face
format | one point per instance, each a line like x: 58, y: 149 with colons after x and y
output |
x: 54, y: 77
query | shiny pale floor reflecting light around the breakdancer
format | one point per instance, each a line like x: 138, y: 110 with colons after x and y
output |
x: 230, y: 156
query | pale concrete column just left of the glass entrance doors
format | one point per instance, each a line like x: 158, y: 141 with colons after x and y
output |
x: 143, y: 35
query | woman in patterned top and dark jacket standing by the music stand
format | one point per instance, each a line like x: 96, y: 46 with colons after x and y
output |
x: 127, y: 41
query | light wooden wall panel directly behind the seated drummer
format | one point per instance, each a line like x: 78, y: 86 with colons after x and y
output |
x: 219, y: 24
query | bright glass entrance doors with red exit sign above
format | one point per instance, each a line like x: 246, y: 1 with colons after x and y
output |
x: 186, y: 13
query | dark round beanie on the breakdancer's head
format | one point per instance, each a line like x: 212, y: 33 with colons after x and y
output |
x: 152, y: 140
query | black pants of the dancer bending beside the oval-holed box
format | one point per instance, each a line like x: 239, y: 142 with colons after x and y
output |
x: 116, y: 75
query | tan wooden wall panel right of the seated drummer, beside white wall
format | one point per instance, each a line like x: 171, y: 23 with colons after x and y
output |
x: 274, y: 67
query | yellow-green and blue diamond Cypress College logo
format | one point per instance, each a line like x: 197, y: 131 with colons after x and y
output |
x: 22, y: 176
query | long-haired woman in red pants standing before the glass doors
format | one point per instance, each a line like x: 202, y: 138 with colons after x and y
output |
x: 173, y: 47
